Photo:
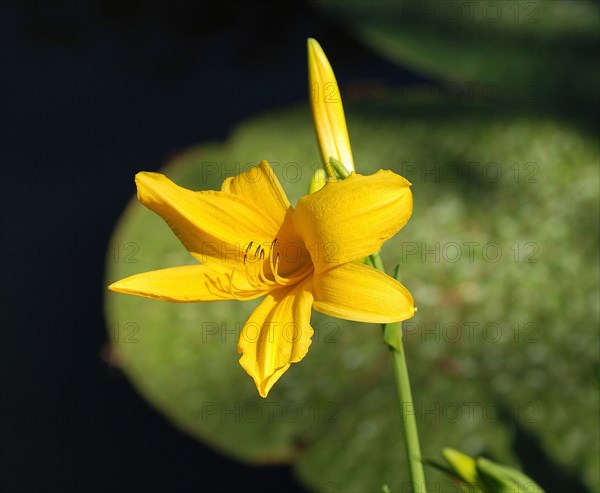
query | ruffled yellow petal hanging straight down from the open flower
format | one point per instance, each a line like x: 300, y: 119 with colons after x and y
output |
x: 277, y: 334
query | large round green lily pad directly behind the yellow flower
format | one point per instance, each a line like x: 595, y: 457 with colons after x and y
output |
x: 500, y: 254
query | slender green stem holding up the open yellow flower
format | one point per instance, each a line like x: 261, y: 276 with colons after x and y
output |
x: 393, y: 338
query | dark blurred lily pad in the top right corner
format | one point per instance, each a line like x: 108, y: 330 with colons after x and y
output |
x: 540, y: 54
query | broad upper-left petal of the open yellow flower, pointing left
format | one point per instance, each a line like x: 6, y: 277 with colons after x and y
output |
x: 210, y: 224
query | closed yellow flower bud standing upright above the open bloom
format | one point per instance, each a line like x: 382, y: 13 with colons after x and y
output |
x: 328, y: 112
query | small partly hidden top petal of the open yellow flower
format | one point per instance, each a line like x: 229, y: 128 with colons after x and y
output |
x: 260, y: 187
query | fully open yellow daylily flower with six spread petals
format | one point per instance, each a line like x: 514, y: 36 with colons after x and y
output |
x: 251, y: 242
